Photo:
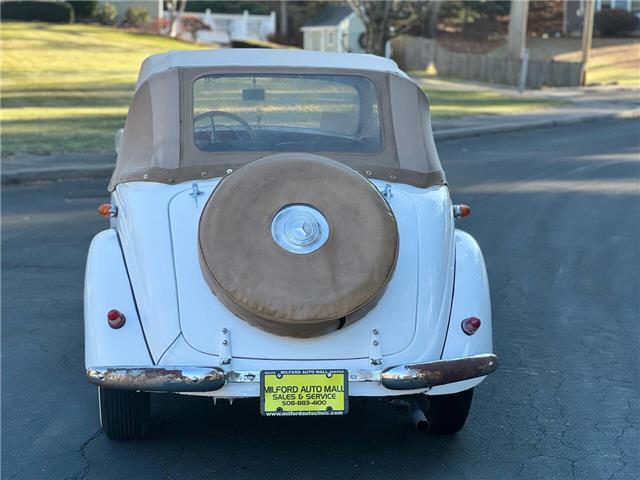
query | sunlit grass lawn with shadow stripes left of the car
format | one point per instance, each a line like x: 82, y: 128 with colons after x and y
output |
x: 67, y: 88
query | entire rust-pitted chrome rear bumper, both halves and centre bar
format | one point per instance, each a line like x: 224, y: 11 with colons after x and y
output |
x: 207, y: 379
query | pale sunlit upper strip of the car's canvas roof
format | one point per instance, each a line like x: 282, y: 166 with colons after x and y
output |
x: 264, y: 57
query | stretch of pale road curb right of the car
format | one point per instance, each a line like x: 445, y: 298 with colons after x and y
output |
x: 455, y: 133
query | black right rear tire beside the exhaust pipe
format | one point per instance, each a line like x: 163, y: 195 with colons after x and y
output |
x: 446, y: 414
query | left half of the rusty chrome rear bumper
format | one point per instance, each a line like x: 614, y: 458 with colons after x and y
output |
x: 158, y: 379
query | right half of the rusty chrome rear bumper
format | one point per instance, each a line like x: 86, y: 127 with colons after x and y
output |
x: 440, y: 372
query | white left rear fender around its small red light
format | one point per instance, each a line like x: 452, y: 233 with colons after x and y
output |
x: 107, y: 287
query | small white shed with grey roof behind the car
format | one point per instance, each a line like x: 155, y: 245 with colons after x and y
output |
x: 335, y: 29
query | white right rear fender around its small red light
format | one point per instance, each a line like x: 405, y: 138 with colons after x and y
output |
x: 470, y: 299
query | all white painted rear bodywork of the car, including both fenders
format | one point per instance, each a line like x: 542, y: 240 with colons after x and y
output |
x: 173, y: 306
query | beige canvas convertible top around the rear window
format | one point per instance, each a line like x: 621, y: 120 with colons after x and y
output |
x: 158, y: 142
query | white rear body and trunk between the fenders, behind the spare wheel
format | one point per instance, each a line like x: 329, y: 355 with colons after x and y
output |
x: 150, y: 241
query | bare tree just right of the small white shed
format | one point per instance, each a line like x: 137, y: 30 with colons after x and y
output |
x: 385, y: 19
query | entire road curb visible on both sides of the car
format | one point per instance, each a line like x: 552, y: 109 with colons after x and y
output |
x: 28, y: 175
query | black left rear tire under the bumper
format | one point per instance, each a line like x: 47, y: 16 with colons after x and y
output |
x: 124, y: 414
